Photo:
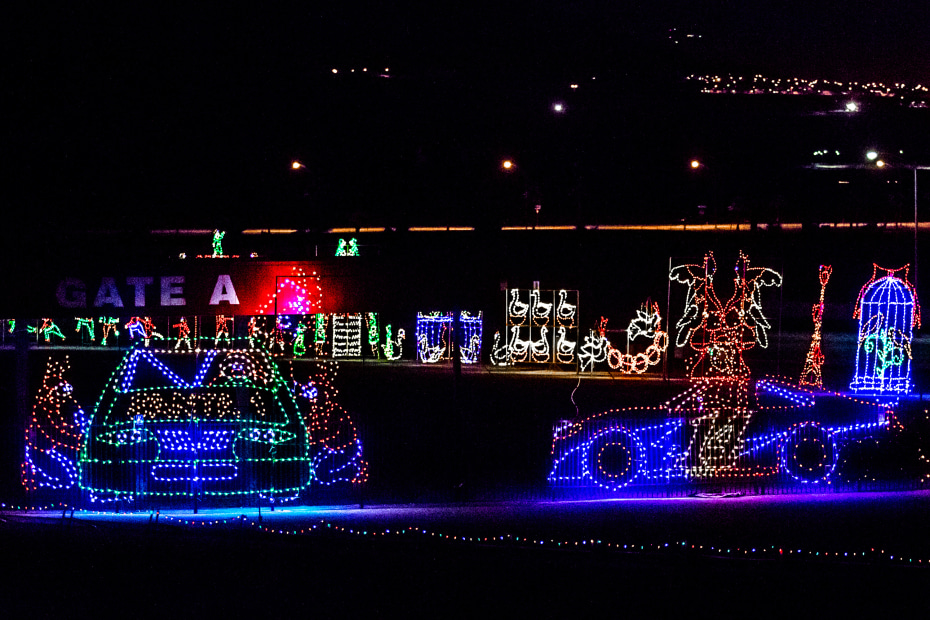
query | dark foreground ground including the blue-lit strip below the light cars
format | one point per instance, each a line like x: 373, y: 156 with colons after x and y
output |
x: 116, y: 565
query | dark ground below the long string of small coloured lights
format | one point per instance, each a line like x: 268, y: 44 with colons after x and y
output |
x: 59, y: 567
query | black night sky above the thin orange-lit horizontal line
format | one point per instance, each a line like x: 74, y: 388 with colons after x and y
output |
x: 137, y: 119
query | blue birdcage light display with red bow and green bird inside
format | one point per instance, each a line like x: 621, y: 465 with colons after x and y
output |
x: 888, y: 312
